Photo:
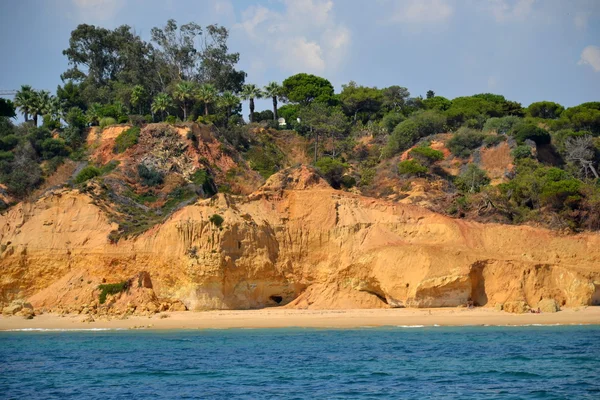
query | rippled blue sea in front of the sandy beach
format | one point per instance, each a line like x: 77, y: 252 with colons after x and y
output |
x: 404, y: 362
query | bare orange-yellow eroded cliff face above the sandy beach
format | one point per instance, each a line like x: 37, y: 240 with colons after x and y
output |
x: 295, y: 241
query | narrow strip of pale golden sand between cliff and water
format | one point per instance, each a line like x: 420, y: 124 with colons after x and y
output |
x: 292, y: 318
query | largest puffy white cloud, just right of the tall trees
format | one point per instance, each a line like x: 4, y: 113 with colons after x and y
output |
x: 304, y: 37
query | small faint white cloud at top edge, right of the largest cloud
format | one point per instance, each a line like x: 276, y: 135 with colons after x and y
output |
x: 422, y: 11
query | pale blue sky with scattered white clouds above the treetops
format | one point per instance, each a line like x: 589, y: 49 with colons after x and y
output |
x: 526, y: 50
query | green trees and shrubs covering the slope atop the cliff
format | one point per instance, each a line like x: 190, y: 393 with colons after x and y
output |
x: 187, y: 73
